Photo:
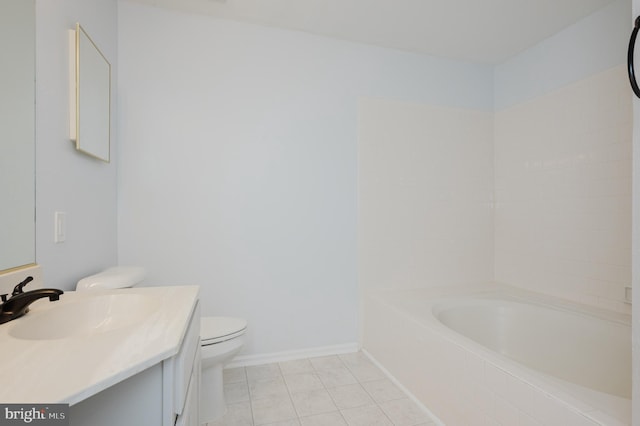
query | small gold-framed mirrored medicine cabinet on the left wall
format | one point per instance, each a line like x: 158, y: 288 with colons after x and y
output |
x: 90, y: 98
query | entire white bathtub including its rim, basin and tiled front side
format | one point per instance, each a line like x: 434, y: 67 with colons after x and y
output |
x: 499, y: 354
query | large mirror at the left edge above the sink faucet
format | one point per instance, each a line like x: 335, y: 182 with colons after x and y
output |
x: 17, y: 137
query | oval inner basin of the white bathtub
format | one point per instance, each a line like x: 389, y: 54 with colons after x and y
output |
x: 566, y: 344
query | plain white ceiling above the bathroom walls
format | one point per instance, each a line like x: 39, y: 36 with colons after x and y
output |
x: 487, y: 31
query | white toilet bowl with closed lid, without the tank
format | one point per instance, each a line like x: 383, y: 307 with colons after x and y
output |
x: 221, y: 339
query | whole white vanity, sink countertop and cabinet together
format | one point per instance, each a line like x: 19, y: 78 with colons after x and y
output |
x: 125, y: 357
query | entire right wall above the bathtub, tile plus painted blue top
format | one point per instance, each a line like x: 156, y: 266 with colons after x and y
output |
x: 563, y: 164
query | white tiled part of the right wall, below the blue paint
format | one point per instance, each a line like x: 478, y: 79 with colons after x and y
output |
x: 563, y: 192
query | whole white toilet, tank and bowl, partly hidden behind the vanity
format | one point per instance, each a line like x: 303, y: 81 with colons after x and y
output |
x: 221, y: 339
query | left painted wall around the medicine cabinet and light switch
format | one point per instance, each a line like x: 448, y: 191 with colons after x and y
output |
x: 66, y: 180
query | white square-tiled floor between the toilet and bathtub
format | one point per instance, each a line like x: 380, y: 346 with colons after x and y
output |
x: 341, y: 390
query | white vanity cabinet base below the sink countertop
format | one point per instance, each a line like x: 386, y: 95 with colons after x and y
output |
x: 165, y: 394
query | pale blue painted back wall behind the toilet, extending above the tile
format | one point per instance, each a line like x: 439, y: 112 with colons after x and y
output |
x: 238, y: 163
